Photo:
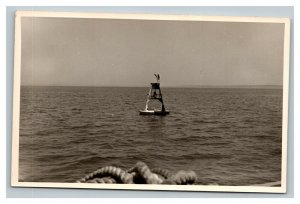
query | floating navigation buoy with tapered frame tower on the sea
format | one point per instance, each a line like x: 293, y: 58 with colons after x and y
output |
x: 155, y: 94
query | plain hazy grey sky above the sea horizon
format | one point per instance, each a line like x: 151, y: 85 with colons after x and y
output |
x: 108, y: 52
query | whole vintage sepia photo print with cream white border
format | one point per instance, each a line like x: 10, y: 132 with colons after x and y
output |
x: 144, y: 101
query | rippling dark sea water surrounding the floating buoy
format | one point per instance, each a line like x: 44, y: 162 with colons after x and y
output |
x: 227, y: 136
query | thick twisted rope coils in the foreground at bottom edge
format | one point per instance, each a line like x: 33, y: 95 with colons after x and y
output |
x: 139, y: 174
